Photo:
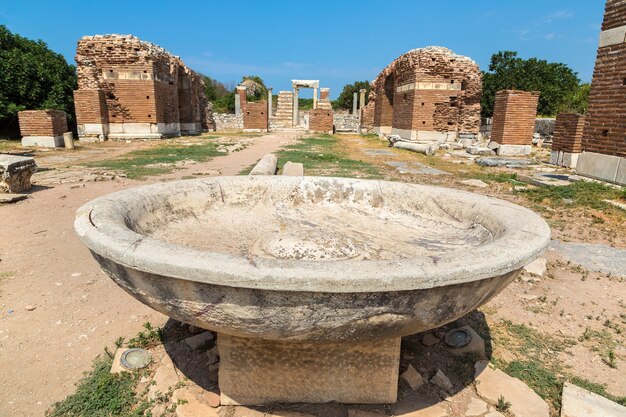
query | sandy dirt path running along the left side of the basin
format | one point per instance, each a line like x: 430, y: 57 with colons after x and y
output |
x: 78, y: 310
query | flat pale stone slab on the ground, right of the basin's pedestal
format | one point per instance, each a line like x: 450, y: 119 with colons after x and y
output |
x: 491, y: 384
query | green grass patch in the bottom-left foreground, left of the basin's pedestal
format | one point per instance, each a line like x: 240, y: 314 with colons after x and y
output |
x: 102, y: 394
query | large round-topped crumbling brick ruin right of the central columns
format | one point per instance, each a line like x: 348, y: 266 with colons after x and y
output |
x: 428, y: 89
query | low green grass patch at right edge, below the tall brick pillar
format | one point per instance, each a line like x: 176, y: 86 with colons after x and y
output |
x: 579, y: 193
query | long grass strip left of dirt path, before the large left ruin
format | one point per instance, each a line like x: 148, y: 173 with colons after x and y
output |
x: 158, y: 160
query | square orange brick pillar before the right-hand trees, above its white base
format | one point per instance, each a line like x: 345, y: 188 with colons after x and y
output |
x: 514, y: 117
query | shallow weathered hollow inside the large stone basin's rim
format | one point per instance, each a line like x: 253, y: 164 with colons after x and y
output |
x: 319, y: 220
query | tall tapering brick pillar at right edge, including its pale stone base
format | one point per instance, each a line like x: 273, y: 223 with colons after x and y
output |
x: 604, y: 137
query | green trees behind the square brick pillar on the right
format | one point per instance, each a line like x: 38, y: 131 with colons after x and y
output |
x: 556, y: 82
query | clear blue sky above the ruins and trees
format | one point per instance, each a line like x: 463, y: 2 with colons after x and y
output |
x: 336, y: 42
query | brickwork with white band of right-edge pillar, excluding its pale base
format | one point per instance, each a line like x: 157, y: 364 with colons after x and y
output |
x: 605, y: 125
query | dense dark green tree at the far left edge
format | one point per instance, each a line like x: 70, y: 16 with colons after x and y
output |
x: 32, y: 77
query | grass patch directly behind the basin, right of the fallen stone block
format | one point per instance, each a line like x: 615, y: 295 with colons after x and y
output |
x: 323, y: 155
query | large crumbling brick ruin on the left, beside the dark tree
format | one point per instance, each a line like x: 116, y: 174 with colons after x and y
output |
x: 123, y: 80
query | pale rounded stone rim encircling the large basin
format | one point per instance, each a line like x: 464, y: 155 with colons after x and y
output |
x: 105, y: 233
